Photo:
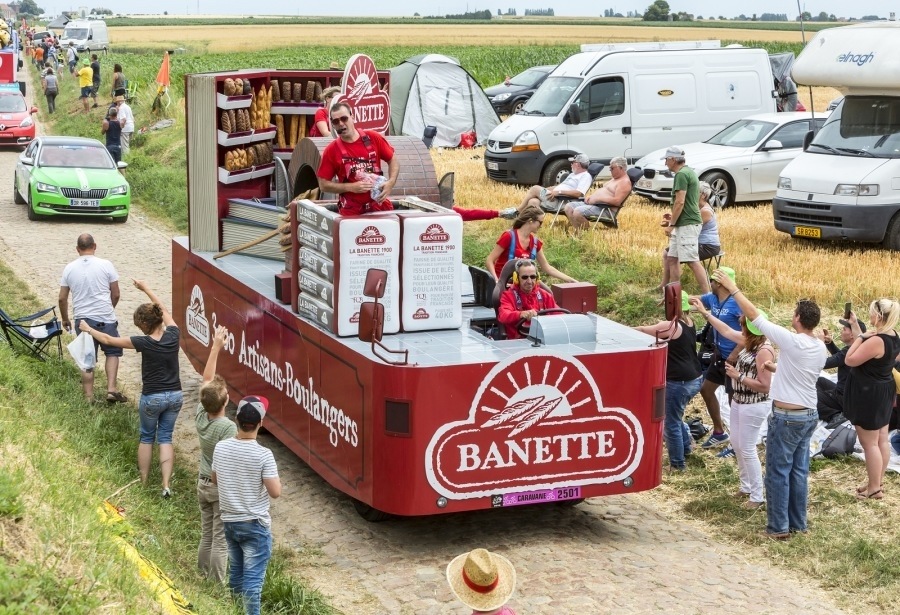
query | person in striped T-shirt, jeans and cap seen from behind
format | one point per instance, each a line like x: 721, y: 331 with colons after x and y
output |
x: 247, y: 477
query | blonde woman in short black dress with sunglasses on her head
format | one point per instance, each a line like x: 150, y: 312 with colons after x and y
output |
x: 870, y: 392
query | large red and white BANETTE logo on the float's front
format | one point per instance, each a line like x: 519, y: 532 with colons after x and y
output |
x: 537, y: 423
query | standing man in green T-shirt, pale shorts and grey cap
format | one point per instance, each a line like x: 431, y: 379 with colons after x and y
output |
x: 684, y: 223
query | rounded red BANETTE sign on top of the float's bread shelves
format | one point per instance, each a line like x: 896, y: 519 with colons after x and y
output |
x: 371, y: 107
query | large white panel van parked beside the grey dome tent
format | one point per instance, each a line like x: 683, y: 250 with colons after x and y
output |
x: 628, y: 99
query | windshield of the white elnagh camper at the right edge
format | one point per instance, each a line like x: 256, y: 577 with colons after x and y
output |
x: 867, y: 126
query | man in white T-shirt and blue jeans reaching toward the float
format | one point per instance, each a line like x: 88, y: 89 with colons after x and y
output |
x: 794, y: 416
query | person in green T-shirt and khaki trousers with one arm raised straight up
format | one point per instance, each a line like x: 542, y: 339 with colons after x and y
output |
x: 212, y: 427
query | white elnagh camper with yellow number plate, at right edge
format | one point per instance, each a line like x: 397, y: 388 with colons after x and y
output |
x: 846, y: 184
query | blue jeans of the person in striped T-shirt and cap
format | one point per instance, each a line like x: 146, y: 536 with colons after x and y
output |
x: 249, y: 549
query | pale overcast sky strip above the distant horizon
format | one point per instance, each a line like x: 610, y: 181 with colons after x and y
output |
x: 705, y: 8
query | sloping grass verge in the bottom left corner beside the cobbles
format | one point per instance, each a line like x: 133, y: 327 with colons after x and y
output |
x: 61, y: 457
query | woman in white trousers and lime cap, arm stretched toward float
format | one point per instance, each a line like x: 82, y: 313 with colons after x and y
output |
x: 750, y: 404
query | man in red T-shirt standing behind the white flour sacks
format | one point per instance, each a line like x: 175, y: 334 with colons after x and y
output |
x: 354, y: 160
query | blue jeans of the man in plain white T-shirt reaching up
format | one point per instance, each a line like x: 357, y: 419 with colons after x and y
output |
x: 787, y: 469
